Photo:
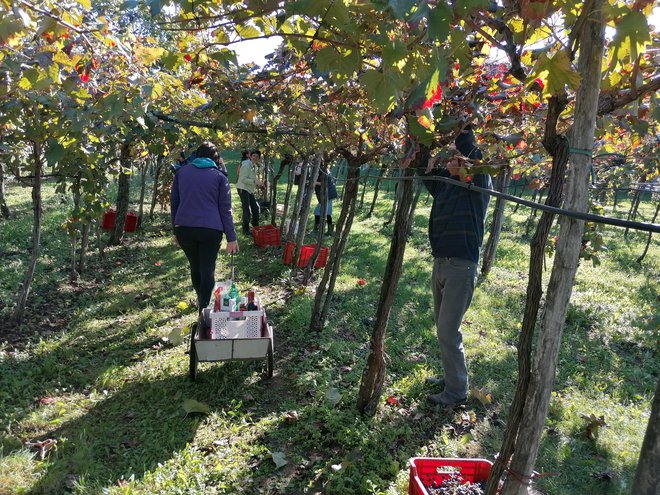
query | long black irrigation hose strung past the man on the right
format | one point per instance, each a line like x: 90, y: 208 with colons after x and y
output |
x: 587, y: 217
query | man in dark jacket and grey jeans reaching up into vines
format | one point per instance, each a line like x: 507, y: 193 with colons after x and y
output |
x: 456, y: 232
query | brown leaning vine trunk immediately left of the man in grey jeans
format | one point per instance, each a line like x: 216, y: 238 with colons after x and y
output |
x: 373, y: 376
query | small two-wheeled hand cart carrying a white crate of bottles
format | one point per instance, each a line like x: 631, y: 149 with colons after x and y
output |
x: 233, y: 336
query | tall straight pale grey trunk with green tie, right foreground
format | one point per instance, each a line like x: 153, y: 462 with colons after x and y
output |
x: 567, y: 256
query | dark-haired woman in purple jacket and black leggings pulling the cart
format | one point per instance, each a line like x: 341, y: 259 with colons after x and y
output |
x: 200, y: 201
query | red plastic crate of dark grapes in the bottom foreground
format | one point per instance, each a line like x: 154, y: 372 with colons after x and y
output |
x: 426, y: 470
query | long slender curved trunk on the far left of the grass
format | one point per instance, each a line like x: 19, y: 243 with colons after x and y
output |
x: 19, y: 311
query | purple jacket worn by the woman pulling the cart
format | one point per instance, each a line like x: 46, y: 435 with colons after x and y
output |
x: 201, y: 197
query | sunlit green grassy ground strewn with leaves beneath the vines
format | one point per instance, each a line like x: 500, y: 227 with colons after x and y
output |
x: 93, y: 368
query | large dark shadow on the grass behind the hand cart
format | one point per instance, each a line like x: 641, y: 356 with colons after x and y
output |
x: 136, y: 429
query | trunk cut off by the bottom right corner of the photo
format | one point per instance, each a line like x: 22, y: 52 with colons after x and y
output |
x: 647, y: 477
